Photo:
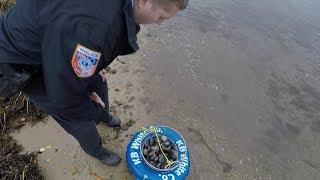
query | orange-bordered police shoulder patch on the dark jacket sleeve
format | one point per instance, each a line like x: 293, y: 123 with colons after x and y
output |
x: 85, y: 61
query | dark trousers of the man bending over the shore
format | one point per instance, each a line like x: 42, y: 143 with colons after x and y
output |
x: 85, y: 132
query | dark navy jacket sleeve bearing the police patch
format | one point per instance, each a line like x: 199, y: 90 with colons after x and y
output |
x: 63, y: 85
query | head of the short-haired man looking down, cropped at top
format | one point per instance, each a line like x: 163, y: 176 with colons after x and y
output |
x: 156, y: 11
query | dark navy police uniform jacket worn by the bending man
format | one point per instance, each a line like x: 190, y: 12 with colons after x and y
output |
x: 47, y: 32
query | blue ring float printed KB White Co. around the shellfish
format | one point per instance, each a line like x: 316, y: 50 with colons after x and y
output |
x: 141, y: 169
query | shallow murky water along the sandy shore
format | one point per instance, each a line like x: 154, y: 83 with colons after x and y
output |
x: 240, y: 79
